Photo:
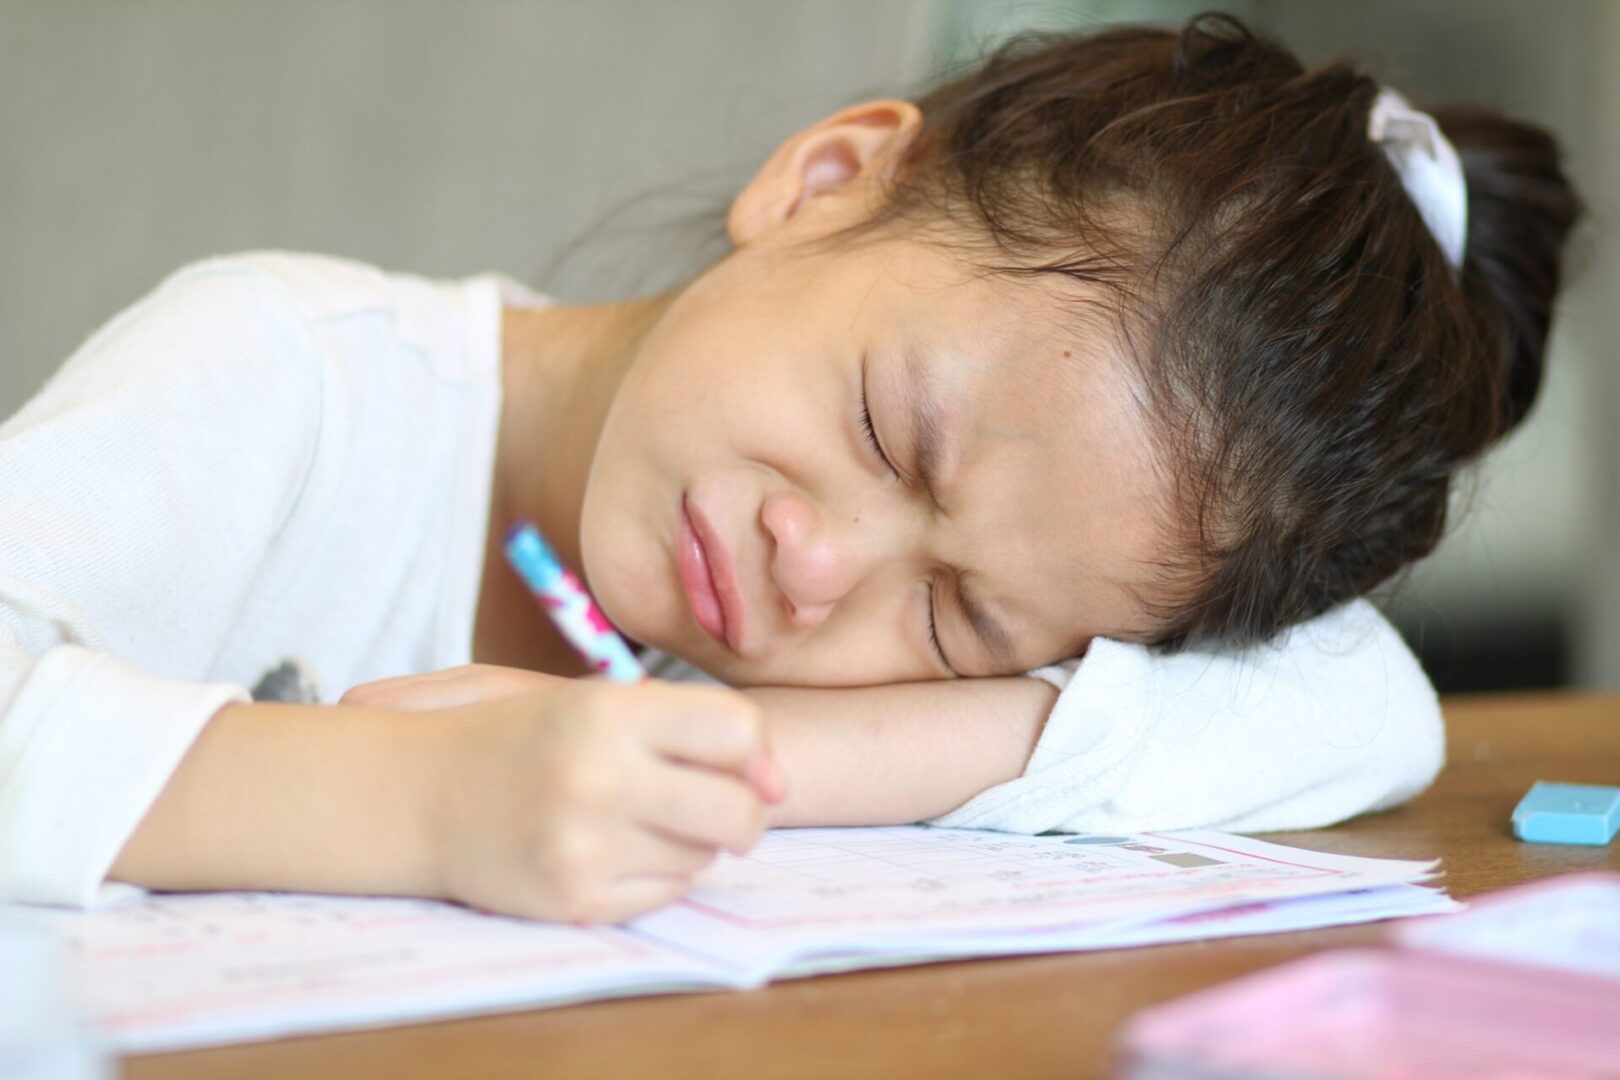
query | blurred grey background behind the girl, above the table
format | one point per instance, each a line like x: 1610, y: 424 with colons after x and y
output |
x: 590, y: 148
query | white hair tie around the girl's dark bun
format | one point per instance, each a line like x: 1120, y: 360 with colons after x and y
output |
x: 1430, y: 168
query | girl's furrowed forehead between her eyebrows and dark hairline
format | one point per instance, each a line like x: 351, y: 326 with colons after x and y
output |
x: 1054, y: 483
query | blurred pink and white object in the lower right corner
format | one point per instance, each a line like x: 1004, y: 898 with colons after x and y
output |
x: 1446, y: 1006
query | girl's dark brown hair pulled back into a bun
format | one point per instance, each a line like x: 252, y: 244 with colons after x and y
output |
x: 1315, y: 368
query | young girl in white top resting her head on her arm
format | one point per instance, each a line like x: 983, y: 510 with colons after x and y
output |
x: 1104, y: 365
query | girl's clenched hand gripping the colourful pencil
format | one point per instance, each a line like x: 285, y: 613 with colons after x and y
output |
x: 587, y: 801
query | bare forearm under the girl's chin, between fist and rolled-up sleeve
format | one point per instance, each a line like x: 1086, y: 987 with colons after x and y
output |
x: 900, y: 754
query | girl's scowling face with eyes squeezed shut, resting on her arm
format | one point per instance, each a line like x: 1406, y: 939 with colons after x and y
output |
x: 738, y: 514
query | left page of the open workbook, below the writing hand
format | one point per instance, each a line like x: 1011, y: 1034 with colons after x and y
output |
x: 224, y: 967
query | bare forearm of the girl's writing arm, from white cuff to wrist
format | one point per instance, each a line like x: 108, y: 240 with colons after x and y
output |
x: 328, y: 799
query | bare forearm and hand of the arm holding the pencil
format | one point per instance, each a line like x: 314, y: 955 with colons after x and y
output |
x: 576, y: 799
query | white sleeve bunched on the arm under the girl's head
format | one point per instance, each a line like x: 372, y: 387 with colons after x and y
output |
x: 1331, y: 721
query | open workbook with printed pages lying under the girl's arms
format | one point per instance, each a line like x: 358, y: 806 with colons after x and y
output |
x: 177, y: 971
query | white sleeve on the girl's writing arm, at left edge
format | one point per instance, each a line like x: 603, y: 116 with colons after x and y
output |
x: 140, y: 490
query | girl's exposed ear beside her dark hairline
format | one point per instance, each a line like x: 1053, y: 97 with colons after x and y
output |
x: 859, y: 143
